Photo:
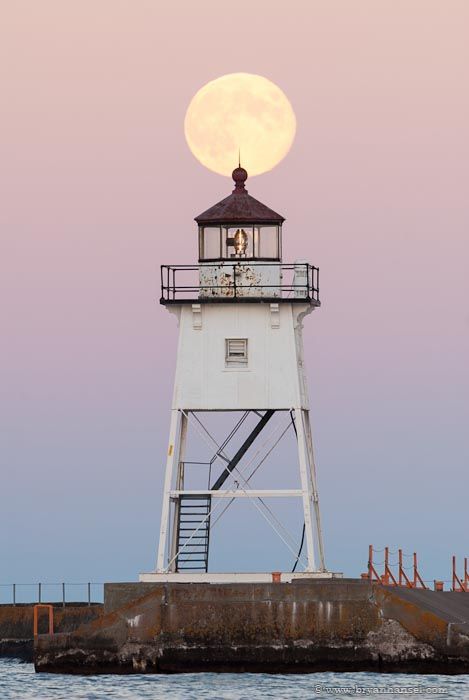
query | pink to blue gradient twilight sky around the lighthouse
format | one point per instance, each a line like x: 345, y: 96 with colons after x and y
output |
x: 98, y: 188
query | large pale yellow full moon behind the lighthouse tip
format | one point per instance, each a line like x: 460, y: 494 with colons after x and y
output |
x: 240, y: 113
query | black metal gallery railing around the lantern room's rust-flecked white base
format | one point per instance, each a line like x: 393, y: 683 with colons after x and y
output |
x: 240, y: 281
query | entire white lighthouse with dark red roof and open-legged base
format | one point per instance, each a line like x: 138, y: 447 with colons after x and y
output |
x: 240, y: 313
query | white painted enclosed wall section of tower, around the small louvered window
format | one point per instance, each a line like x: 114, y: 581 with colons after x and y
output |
x: 274, y: 377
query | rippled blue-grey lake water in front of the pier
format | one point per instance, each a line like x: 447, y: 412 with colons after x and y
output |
x: 19, y: 682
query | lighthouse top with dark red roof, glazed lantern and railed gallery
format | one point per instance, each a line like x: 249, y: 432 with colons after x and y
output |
x: 239, y: 257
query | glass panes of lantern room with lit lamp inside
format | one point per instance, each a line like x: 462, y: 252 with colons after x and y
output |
x: 240, y: 242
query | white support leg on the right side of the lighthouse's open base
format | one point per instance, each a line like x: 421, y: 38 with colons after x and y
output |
x: 310, y: 491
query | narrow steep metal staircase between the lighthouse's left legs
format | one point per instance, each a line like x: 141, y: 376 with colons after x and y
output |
x: 193, y: 533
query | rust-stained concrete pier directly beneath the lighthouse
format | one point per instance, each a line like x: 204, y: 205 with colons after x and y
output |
x: 303, y: 626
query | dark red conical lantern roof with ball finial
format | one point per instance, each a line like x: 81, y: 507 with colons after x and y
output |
x: 239, y: 207
